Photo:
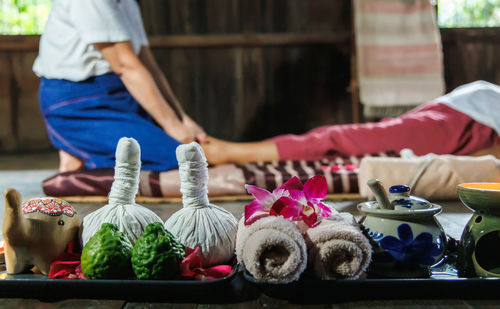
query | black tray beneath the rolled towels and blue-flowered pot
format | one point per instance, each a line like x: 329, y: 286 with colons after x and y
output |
x: 311, y: 290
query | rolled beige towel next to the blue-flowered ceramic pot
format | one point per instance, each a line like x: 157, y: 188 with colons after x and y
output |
x: 337, y: 249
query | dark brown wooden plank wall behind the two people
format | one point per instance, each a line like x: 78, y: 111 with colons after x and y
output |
x: 245, y: 69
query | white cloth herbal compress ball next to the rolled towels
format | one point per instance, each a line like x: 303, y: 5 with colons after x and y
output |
x: 200, y: 223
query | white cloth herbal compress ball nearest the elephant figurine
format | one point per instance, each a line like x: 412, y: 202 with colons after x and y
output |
x: 122, y: 210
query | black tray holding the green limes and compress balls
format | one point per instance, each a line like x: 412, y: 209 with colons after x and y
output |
x: 225, y: 290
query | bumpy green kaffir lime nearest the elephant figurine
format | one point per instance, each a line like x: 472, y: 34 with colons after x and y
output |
x: 107, y: 254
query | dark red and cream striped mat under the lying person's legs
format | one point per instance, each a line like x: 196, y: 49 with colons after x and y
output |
x: 224, y: 180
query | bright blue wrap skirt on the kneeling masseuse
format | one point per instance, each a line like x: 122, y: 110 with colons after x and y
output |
x: 87, y: 118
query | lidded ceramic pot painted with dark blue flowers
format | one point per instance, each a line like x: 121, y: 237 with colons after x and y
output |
x: 404, y: 229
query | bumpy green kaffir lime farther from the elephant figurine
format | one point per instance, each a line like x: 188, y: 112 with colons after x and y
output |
x: 157, y: 254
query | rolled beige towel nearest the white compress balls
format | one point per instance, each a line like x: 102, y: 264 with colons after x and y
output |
x: 272, y: 249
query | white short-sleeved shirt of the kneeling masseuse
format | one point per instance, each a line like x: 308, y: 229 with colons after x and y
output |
x: 66, y: 46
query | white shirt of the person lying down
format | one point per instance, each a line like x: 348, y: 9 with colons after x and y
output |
x: 479, y: 100
